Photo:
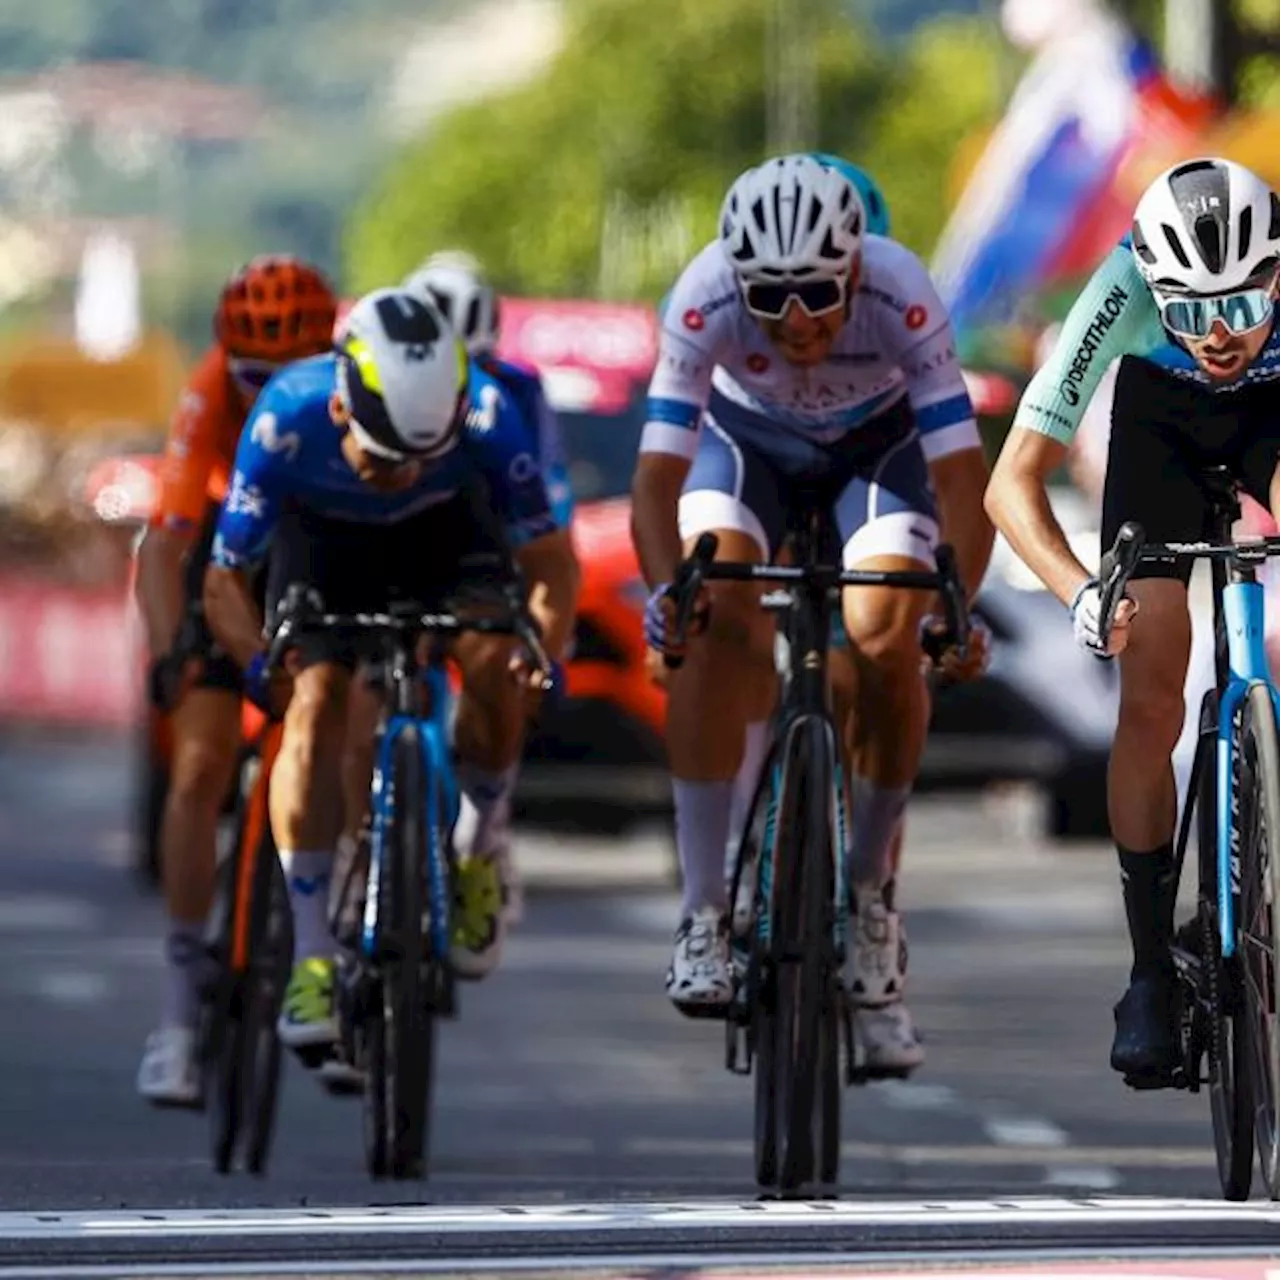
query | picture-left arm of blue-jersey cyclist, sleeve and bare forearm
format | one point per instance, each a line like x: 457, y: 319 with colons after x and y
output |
x: 245, y: 527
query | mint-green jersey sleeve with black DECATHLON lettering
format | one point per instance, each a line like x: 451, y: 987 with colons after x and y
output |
x: 1113, y: 317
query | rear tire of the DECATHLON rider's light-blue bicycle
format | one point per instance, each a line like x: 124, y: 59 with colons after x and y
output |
x: 1229, y: 1094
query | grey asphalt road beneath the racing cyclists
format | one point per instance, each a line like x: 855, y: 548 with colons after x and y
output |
x: 568, y: 1077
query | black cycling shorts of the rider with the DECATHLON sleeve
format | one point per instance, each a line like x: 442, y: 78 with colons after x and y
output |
x: 1165, y: 433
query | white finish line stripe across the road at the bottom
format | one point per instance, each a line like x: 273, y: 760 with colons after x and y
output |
x: 621, y: 1218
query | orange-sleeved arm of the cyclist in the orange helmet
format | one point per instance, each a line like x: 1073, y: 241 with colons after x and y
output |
x: 189, y: 461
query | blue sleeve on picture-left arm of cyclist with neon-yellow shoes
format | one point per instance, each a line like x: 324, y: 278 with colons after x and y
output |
x: 255, y: 497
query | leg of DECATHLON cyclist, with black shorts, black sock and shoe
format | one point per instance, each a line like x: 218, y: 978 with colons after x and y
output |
x: 1151, y: 478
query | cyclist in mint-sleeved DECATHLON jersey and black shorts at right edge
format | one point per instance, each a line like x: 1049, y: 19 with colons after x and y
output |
x: 1187, y: 303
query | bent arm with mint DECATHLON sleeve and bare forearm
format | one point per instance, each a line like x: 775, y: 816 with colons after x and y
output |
x: 1114, y: 317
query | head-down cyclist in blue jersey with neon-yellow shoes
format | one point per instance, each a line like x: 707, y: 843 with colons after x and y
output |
x: 410, y: 496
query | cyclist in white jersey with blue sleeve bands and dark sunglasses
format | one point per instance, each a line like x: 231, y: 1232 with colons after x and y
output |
x: 803, y: 360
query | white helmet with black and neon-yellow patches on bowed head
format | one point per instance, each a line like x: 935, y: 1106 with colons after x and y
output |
x: 403, y: 376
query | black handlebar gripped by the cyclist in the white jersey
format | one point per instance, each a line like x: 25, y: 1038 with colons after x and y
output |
x: 702, y: 566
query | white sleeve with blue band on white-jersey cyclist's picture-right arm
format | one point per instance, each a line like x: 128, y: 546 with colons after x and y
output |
x: 924, y: 342
